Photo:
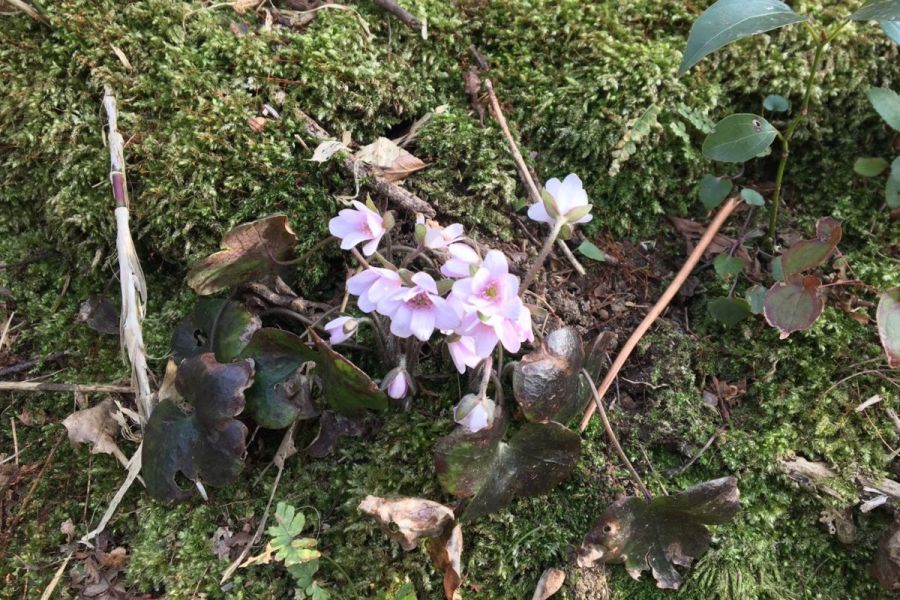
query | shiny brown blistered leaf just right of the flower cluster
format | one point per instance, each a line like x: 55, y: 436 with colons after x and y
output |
x: 546, y: 381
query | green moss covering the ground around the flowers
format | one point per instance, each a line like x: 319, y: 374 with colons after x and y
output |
x: 573, y: 77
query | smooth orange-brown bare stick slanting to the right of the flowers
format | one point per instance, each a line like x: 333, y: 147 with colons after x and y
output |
x: 661, y: 304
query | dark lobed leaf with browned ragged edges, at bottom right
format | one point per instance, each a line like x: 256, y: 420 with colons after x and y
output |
x: 661, y: 533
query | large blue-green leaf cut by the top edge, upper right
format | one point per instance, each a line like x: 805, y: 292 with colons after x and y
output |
x: 727, y: 21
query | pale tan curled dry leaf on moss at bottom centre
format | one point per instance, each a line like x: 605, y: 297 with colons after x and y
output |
x: 407, y: 520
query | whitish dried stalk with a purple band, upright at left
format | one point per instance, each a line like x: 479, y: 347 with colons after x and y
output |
x: 131, y: 277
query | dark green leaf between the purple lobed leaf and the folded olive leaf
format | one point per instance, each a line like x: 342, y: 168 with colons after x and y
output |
x: 273, y: 402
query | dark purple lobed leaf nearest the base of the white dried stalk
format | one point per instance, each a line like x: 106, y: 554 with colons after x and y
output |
x: 207, y: 445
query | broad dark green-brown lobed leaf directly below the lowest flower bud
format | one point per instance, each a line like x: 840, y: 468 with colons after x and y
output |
x: 537, y: 457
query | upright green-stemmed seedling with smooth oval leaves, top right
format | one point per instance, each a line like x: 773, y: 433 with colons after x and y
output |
x: 741, y: 137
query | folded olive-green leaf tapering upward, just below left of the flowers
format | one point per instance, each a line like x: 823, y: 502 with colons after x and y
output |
x: 345, y: 387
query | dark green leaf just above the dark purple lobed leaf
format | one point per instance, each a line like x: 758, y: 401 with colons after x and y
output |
x: 234, y: 326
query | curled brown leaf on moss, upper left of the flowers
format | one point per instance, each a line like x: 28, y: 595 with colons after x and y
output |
x: 249, y: 251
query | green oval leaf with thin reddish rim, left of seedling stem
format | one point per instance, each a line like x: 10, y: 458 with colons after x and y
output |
x: 738, y: 138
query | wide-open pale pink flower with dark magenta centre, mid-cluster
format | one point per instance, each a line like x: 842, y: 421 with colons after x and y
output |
x: 419, y: 309
